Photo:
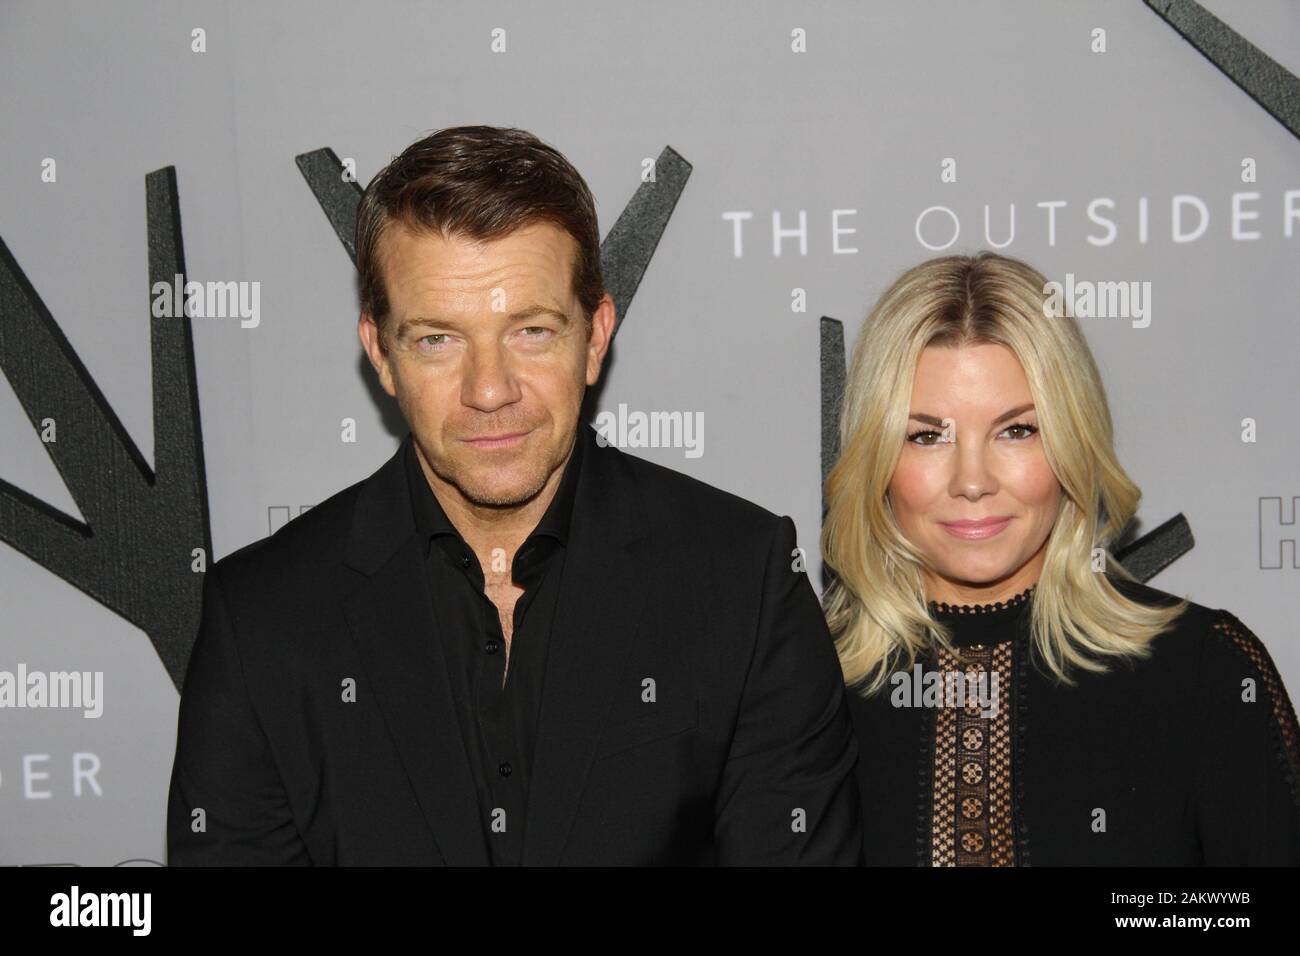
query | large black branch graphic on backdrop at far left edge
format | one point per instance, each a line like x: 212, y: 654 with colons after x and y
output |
x: 135, y: 552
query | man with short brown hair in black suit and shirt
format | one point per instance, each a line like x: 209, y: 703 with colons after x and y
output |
x: 514, y: 643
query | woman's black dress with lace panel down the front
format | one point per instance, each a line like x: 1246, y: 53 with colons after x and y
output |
x: 1190, y: 758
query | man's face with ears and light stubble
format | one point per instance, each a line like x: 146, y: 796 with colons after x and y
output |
x: 489, y: 356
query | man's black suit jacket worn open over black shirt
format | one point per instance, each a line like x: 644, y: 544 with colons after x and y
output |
x: 317, y: 724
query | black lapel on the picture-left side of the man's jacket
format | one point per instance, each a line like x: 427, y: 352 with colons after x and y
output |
x: 395, y: 628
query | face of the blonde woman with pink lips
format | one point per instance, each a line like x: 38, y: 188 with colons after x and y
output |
x: 973, y: 490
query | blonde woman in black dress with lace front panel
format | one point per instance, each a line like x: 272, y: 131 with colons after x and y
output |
x: 1019, y: 698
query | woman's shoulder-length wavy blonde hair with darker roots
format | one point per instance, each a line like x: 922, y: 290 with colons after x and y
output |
x: 877, y: 603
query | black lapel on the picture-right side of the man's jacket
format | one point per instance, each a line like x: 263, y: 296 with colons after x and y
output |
x: 600, y: 605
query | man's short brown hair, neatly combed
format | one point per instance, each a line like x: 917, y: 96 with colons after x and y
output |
x: 479, y: 183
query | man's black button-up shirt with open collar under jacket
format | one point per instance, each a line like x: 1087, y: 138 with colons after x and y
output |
x: 499, y: 707
